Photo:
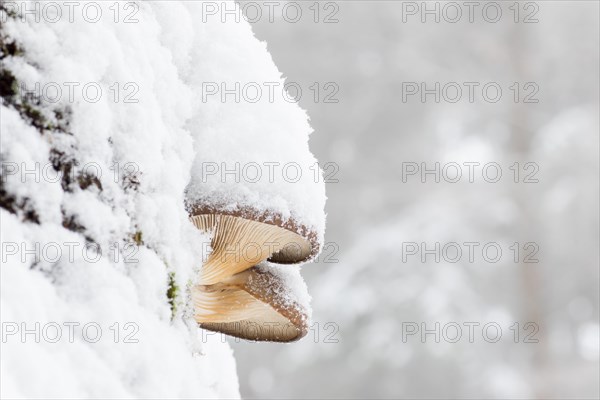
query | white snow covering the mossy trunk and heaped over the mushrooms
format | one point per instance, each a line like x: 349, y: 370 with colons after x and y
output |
x: 144, y: 154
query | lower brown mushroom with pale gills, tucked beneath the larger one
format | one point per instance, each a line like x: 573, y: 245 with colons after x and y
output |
x: 251, y: 305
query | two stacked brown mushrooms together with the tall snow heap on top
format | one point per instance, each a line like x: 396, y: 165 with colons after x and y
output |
x: 254, y: 186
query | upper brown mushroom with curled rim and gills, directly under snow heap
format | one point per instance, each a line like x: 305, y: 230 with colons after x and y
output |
x: 244, y: 238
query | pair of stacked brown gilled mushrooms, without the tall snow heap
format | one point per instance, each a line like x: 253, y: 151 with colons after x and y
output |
x: 238, y: 292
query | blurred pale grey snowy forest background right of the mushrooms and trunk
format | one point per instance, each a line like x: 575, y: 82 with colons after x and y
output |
x: 369, y: 290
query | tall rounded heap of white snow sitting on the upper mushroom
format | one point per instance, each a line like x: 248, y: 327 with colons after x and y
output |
x: 269, y: 135
